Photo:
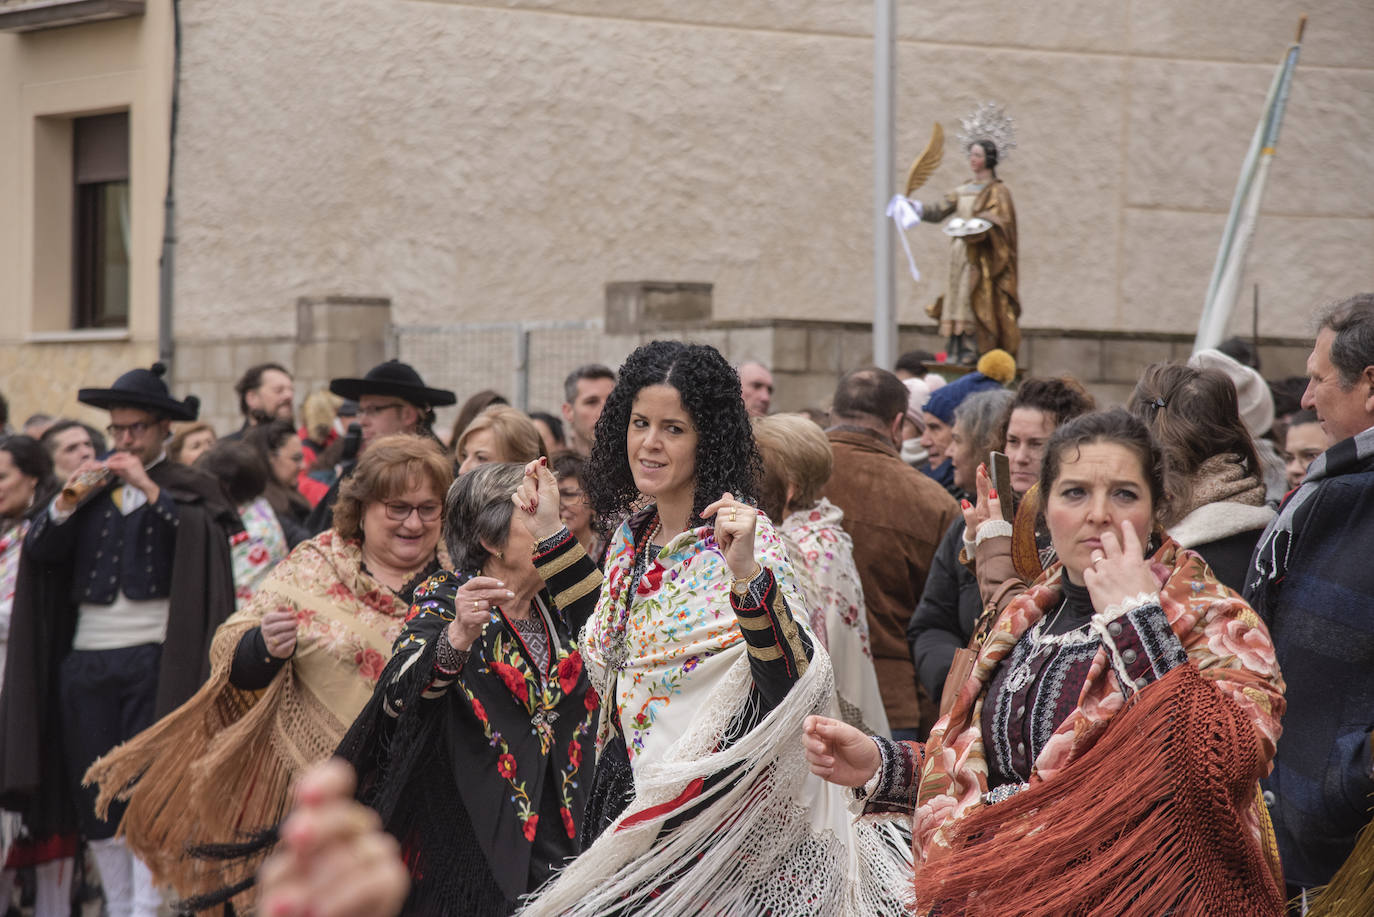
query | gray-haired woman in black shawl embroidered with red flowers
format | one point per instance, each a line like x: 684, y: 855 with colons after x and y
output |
x: 473, y: 746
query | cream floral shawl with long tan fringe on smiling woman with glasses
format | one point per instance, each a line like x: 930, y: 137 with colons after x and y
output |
x: 223, y: 764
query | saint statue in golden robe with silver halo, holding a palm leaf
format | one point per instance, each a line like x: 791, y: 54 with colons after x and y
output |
x: 979, y: 309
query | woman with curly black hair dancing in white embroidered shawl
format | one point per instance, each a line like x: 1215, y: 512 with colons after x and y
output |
x: 706, y: 669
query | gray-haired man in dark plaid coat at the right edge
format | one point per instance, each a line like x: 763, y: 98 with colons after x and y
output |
x: 1313, y: 584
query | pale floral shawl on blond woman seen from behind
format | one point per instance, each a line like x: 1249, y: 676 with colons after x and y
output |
x: 824, y: 557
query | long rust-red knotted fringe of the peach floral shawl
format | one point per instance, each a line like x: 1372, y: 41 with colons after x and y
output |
x: 1148, y: 821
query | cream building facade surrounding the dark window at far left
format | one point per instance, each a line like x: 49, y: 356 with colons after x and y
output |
x: 47, y: 78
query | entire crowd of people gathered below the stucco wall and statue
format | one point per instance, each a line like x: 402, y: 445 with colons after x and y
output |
x: 958, y: 641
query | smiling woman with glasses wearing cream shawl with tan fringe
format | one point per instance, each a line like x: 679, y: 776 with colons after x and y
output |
x: 289, y: 673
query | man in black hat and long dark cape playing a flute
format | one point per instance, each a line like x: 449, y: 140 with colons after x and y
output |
x: 119, y: 595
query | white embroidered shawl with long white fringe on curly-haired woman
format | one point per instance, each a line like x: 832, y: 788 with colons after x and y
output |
x: 772, y: 838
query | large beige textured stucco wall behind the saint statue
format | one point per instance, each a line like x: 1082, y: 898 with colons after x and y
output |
x: 484, y: 162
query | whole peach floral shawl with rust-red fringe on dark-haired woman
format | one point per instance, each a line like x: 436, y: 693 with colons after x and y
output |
x: 1142, y: 806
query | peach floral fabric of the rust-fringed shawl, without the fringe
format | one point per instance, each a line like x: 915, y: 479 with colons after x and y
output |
x: 1224, y: 639
